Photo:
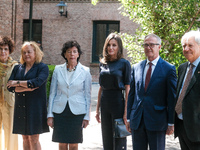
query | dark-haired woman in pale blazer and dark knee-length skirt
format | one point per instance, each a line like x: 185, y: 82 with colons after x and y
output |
x: 70, y: 99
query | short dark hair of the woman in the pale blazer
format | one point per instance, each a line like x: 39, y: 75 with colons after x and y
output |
x: 70, y: 44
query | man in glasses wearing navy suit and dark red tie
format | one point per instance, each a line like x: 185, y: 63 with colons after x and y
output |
x: 151, y: 101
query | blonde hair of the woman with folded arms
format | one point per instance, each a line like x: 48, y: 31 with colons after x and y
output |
x: 38, y: 53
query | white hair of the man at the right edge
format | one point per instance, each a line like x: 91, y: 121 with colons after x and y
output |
x: 192, y: 33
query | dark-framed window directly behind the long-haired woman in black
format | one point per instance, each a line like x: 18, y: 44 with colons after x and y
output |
x: 101, y: 29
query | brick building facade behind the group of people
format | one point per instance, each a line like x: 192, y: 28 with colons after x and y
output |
x: 83, y: 23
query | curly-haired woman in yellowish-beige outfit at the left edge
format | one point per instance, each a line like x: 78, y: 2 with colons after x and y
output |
x: 7, y: 99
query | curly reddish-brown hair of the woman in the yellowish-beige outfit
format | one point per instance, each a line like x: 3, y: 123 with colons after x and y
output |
x: 7, y: 41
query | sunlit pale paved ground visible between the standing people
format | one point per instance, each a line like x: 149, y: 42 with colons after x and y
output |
x: 92, y: 134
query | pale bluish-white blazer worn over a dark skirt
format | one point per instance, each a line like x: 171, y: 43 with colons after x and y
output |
x: 76, y: 92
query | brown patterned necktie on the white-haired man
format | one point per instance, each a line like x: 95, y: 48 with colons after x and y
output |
x: 178, y: 107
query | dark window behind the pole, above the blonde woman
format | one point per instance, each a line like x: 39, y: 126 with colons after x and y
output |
x: 36, y: 30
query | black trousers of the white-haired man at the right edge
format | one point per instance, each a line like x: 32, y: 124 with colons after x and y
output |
x: 185, y: 143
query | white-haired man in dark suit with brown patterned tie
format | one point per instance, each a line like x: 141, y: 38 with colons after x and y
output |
x: 187, y: 117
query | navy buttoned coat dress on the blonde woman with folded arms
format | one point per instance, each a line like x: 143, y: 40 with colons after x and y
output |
x: 30, y: 106
